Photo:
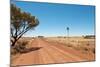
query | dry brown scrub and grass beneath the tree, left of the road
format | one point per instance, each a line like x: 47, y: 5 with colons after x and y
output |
x: 20, y: 45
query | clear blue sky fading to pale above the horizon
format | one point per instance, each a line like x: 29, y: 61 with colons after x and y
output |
x: 54, y: 18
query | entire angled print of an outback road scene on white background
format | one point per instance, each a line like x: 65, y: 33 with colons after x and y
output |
x: 51, y: 34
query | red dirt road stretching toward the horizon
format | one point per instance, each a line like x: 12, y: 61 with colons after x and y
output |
x: 50, y: 52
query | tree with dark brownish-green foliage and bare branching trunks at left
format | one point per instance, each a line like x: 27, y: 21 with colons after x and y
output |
x: 21, y: 22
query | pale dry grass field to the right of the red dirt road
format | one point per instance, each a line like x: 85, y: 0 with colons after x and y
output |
x: 84, y: 45
